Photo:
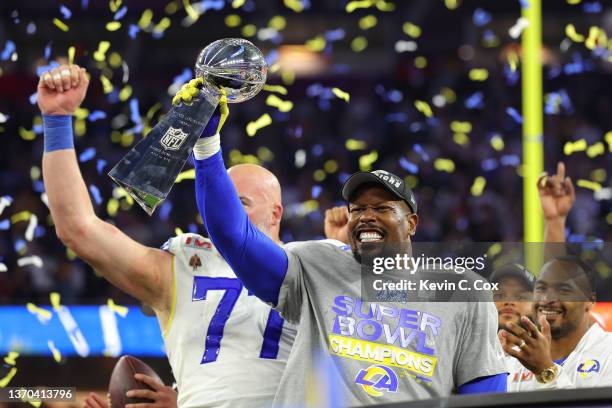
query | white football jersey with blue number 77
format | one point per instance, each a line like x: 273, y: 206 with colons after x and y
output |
x: 226, y: 347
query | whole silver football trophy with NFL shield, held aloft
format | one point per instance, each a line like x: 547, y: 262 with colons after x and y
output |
x: 150, y: 169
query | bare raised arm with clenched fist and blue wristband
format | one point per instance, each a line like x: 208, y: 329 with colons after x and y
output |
x: 143, y: 272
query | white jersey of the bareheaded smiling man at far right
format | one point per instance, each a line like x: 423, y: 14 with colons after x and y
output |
x: 589, y: 365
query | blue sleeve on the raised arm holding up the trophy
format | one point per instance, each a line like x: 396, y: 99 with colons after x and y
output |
x: 258, y: 261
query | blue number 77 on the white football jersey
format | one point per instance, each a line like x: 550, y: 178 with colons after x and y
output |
x: 232, y: 288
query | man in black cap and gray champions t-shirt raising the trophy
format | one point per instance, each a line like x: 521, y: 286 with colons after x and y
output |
x: 381, y: 352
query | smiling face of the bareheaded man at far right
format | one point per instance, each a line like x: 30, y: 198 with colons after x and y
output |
x: 562, y: 294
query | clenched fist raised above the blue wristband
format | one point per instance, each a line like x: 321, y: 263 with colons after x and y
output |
x: 61, y: 90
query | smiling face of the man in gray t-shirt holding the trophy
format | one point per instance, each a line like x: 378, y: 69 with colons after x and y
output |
x: 376, y: 216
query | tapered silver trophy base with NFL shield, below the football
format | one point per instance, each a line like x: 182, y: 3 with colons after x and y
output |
x: 150, y: 168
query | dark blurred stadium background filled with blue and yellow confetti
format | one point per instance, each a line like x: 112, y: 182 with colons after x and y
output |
x: 428, y: 89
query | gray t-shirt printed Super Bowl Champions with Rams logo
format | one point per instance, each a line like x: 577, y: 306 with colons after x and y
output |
x: 380, y: 352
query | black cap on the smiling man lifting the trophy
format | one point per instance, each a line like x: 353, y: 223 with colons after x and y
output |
x: 389, y: 181
